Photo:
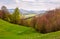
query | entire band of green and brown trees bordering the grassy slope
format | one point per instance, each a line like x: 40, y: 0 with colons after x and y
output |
x: 48, y: 22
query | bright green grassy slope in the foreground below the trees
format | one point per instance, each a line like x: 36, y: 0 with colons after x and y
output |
x: 12, y: 31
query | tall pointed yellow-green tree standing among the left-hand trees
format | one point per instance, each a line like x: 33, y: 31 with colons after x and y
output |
x: 16, y: 16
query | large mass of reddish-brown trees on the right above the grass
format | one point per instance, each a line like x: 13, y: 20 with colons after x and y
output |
x: 49, y: 22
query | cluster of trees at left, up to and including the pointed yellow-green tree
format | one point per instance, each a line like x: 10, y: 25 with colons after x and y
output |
x: 13, y: 18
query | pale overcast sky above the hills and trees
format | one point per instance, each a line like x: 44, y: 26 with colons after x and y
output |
x: 31, y: 4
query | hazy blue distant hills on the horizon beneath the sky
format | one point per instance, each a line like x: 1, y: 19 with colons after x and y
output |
x: 25, y: 12
